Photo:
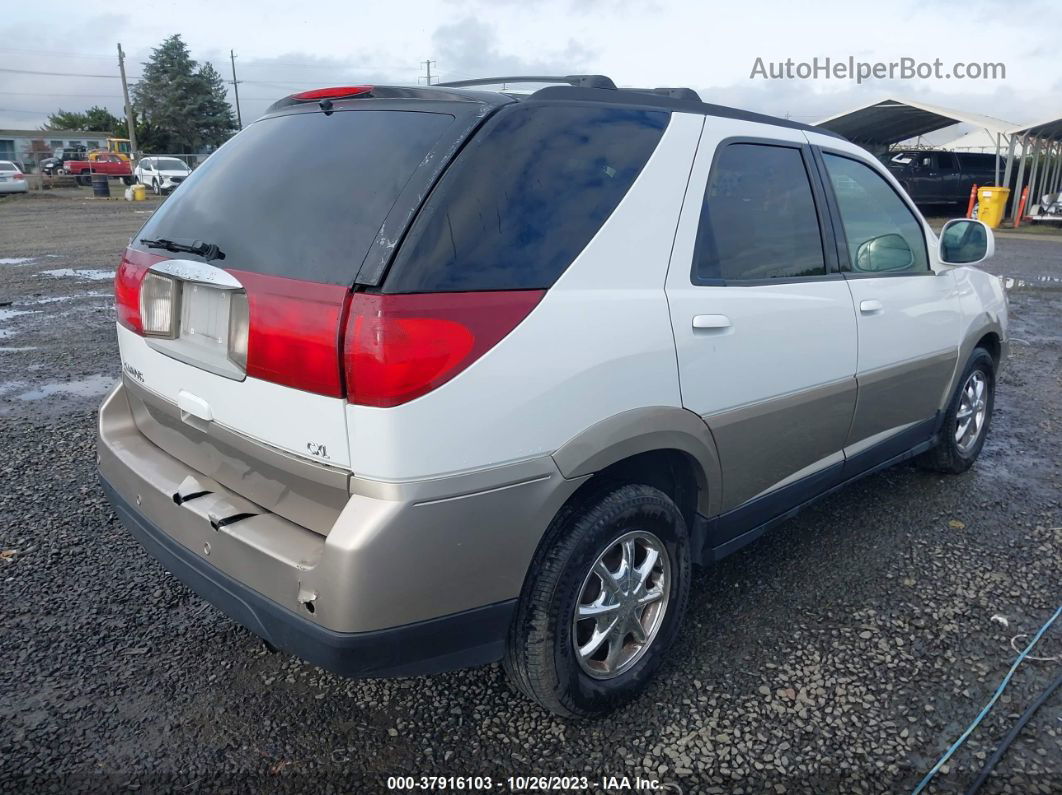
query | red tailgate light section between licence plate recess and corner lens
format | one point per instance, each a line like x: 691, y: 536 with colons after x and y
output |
x: 294, y: 333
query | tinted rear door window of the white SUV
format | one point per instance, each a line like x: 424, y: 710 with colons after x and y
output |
x: 759, y: 219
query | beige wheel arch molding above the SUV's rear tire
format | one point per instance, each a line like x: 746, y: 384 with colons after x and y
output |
x: 646, y: 430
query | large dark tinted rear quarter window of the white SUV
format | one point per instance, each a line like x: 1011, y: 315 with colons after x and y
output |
x: 525, y: 198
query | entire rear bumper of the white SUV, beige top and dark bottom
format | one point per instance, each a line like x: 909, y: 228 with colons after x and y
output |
x: 412, y: 579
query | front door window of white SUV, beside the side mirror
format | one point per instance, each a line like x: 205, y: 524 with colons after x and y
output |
x: 883, y: 235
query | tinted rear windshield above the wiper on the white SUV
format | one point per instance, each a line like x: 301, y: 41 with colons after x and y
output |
x: 301, y: 196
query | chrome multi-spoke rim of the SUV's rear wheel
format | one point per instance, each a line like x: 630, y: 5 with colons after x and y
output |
x: 622, y: 604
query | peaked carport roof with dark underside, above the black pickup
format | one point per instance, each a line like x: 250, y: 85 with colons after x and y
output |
x: 893, y: 120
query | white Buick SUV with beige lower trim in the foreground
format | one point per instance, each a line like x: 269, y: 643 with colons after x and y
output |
x: 493, y: 375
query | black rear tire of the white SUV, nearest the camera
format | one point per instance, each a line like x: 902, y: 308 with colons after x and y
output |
x: 541, y: 659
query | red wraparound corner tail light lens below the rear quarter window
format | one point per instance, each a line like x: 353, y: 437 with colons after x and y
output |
x: 400, y: 348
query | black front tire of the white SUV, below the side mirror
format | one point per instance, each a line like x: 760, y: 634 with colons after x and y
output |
x: 952, y: 455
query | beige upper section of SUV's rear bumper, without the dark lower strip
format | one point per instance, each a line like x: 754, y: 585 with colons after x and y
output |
x: 397, y: 554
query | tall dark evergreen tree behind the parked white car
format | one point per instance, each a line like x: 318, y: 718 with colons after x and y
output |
x: 182, y: 105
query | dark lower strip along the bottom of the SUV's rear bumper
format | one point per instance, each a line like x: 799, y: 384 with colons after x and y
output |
x: 471, y: 638
